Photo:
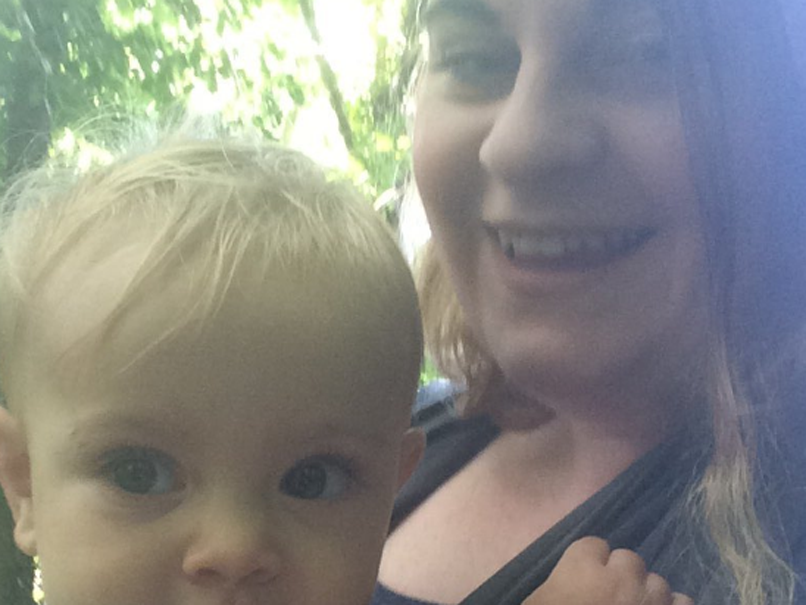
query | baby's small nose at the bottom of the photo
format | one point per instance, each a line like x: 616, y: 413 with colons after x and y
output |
x: 233, y: 548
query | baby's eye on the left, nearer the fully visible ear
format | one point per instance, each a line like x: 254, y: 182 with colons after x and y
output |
x: 141, y: 471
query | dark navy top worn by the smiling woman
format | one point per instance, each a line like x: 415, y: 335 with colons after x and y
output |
x: 642, y: 509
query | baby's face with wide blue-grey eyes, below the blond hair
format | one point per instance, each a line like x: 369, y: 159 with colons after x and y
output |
x: 253, y: 463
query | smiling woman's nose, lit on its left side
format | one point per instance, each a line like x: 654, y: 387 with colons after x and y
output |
x: 544, y: 125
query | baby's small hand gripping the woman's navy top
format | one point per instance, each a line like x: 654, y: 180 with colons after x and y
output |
x: 589, y: 573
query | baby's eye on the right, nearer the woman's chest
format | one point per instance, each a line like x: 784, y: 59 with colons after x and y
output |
x: 317, y: 479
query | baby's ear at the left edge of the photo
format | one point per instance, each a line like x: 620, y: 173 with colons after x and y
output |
x: 15, y: 479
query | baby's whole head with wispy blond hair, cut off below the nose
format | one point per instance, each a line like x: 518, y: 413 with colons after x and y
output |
x: 209, y: 356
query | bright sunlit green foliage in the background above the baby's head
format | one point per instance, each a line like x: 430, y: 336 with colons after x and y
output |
x: 64, y: 62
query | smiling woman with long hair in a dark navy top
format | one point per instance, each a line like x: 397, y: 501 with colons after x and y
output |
x: 616, y: 193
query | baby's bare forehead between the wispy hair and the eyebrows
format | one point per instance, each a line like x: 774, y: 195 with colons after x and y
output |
x: 295, y: 337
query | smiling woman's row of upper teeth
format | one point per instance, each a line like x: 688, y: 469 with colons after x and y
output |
x: 572, y: 245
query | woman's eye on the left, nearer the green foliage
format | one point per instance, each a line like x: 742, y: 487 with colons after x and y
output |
x: 491, y: 72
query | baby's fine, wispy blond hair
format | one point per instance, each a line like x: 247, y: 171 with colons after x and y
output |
x: 204, y: 207
